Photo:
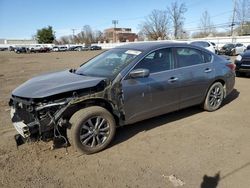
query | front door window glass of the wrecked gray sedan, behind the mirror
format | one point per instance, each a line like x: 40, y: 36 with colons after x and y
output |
x: 157, y: 61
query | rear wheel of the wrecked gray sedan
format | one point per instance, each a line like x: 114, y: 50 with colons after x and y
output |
x: 214, y: 97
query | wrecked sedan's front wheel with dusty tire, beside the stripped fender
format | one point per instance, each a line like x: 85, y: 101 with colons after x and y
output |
x: 93, y: 128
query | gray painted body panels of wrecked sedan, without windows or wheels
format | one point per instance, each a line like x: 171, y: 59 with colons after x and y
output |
x: 141, y: 98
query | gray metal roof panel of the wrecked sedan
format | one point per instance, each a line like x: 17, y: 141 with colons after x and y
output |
x: 147, y: 46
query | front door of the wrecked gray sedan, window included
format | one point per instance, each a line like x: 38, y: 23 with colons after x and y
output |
x: 153, y: 95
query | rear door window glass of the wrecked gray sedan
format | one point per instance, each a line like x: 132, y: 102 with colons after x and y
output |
x: 188, y: 57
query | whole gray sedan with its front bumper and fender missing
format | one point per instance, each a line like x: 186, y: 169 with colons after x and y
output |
x: 121, y: 86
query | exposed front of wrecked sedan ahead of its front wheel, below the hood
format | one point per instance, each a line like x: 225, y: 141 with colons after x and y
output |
x: 36, y: 120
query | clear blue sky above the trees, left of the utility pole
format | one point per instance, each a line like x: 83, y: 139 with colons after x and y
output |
x: 20, y: 19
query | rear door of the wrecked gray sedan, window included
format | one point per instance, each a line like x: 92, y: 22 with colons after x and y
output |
x: 197, y: 72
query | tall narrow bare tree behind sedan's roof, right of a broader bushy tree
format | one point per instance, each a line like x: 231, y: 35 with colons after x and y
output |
x: 176, y: 13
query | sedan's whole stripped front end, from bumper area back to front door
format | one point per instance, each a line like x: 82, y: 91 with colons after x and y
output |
x: 48, y: 118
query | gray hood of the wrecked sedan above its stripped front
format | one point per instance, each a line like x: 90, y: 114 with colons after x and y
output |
x: 54, y: 83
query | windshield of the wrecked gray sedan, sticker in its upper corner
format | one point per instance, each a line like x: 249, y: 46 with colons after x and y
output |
x: 108, y: 64
